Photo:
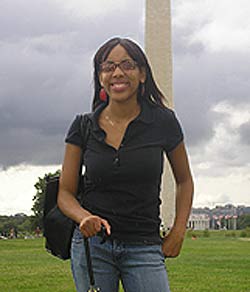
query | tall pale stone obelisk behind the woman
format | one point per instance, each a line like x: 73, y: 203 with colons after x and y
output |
x: 159, y: 51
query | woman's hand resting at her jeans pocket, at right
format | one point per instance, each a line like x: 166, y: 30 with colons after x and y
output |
x: 172, y: 243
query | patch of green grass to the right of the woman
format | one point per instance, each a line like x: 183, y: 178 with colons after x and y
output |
x: 211, y: 264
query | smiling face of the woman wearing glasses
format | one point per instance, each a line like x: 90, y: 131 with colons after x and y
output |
x: 121, y: 82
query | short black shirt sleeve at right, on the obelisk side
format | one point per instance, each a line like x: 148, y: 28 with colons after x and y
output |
x: 173, y: 132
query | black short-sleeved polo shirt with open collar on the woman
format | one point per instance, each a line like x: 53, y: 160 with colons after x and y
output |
x: 123, y: 185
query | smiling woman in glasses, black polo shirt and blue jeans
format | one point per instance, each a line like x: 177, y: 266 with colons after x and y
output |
x: 130, y: 130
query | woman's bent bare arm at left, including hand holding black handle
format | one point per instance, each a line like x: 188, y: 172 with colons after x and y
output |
x: 89, y: 224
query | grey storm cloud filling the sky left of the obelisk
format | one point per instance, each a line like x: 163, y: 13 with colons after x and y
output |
x: 46, y: 51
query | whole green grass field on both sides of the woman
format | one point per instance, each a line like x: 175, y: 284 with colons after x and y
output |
x: 215, y: 264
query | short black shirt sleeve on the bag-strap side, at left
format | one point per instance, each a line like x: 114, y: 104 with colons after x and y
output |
x: 74, y: 133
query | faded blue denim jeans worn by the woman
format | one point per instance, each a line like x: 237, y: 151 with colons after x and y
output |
x: 141, y: 268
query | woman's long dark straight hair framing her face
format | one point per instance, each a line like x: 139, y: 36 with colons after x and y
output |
x: 151, y: 91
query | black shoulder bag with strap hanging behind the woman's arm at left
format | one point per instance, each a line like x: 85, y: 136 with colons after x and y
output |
x: 58, y: 228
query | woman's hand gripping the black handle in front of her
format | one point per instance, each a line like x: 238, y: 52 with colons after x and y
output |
x: 92, y: 224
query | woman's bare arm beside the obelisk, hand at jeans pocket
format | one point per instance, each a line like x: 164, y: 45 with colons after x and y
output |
x: 178, y: 159
